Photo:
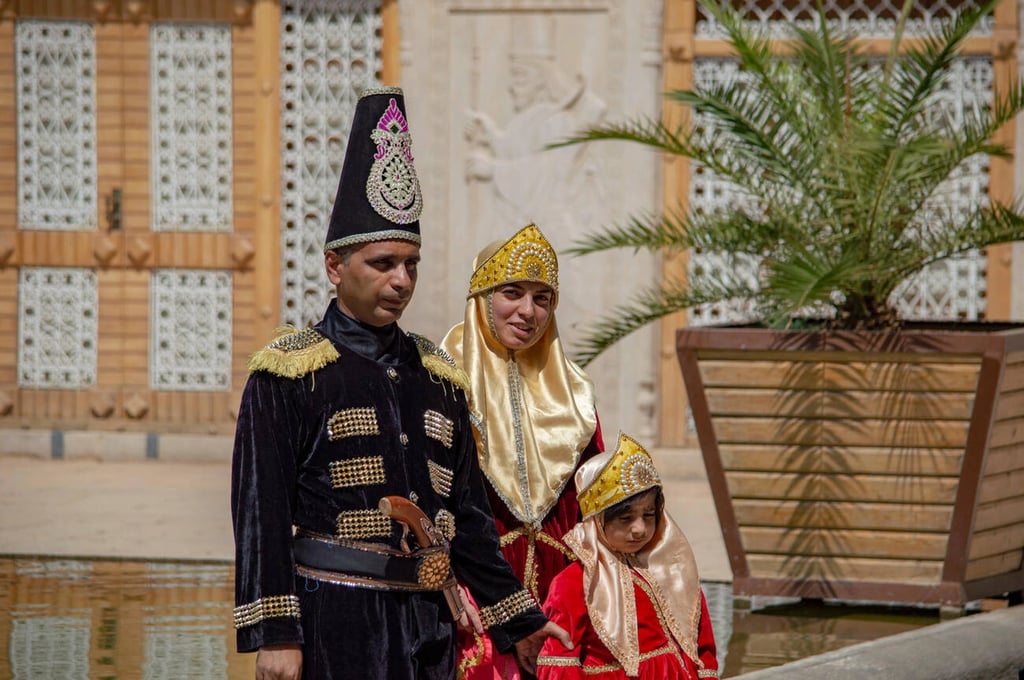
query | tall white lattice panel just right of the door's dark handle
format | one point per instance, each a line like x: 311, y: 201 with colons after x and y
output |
x: 191, y: 127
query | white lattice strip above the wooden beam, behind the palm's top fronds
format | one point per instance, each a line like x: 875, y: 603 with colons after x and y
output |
x: 867, y: 19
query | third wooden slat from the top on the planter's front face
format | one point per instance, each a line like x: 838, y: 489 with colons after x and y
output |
x: 914, y: 435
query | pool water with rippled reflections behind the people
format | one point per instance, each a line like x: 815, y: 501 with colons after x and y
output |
x: 87, y: 620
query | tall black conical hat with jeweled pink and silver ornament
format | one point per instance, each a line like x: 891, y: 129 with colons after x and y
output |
x: 379, y: 196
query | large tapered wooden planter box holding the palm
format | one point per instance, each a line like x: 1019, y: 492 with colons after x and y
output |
x: 865, y: 466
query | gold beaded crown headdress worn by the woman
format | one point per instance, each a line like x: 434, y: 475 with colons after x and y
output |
x: 527, y: 257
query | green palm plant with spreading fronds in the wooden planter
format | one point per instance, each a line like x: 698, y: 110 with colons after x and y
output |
x: 839, y: 161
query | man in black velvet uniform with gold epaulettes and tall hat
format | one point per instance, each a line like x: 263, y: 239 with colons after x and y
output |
x: 337, y: 417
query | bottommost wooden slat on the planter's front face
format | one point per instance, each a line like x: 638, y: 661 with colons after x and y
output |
x: 846, y: 569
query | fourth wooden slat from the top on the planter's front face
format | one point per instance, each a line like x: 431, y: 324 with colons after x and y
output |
x: 854, y: 460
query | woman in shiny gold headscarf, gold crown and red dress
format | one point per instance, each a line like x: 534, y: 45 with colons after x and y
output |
x: 534, y: 416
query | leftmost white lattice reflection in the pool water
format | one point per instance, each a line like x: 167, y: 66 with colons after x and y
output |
x: 51, y: 647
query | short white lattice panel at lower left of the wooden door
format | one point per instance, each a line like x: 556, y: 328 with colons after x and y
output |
x: 57, y: 322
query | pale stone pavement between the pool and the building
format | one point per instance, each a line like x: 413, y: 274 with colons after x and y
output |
x: 178, y: 509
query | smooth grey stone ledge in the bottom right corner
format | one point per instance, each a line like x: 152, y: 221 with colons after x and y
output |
x: 984, y: 647
